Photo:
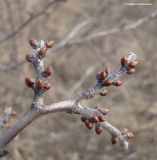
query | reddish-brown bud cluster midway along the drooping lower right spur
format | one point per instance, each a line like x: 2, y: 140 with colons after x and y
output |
x: 94, y: 119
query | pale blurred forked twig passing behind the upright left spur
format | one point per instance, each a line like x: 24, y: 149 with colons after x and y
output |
x: 72, y: 40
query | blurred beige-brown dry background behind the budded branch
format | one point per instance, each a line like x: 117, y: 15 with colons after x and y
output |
x: 101, y: 32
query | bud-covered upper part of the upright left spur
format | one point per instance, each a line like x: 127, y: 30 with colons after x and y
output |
x: 40, y: 47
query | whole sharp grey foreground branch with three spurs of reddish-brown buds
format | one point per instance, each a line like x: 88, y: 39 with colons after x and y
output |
x: 90, y: 116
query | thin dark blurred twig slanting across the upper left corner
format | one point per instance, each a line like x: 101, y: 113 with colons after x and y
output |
x: 29, y: 20
